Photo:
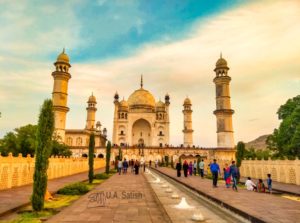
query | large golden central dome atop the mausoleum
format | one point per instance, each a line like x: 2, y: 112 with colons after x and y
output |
x: 141, y: 97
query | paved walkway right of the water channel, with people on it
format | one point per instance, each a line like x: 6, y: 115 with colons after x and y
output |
x: 263, y: 207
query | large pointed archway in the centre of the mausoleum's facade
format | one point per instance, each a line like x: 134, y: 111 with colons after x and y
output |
x: 141, y: 133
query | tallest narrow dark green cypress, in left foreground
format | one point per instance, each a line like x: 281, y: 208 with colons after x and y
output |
x: 44, y: 134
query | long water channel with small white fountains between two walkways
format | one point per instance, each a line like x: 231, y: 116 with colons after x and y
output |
x: 185, y: 206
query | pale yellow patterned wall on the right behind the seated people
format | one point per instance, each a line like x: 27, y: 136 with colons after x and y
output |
x: 284, y: 171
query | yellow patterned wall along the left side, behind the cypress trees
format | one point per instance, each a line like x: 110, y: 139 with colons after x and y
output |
x: 18, y: 171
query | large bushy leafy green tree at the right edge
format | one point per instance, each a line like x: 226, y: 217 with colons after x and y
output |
x: 285, y: 141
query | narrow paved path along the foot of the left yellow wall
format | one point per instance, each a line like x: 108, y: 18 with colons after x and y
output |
x: 12, y: 199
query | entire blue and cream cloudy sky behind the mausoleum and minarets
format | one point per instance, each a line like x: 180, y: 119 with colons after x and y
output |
x: 174, y: 44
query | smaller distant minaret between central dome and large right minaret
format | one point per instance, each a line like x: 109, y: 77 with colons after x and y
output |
x: 187, y: 123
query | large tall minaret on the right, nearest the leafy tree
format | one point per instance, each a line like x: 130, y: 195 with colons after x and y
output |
x: 223, y: 111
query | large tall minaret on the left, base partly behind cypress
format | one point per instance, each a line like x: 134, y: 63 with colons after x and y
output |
x: 61, y: 78
